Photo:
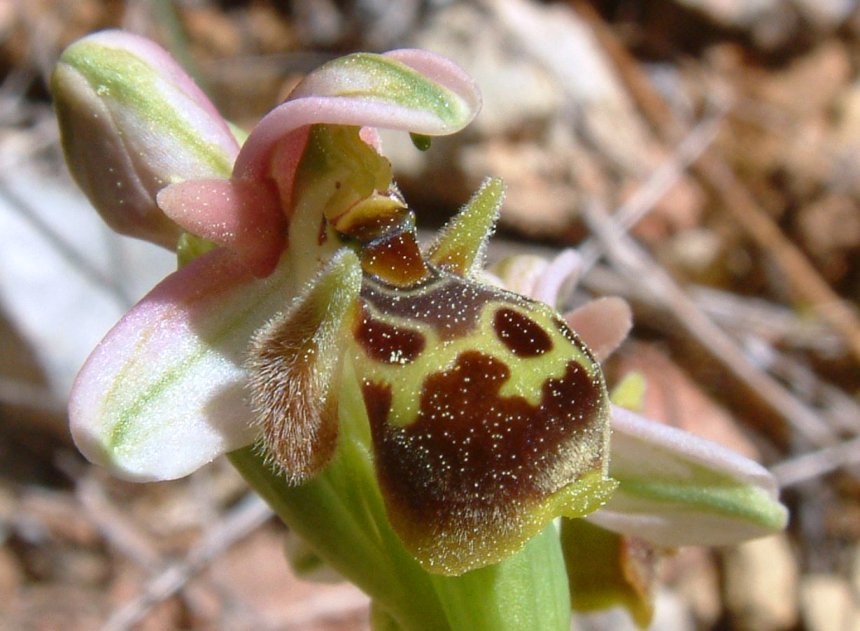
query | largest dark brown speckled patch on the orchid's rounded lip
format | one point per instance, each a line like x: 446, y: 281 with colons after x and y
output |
x: 472, y: 455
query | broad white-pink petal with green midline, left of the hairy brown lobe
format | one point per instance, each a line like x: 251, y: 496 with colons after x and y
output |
x: 163, y: 393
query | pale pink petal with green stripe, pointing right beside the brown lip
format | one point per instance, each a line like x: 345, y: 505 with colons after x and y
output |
x: 678, y: 489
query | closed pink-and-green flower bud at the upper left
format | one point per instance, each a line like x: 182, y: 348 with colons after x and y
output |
x: 132, y: 122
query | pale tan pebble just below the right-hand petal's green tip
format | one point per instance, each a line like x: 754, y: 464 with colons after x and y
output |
x: 761, y: 584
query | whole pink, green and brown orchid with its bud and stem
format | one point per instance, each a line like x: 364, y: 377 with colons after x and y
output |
x: 419, y: 427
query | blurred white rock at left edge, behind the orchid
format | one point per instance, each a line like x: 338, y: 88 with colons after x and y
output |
x: 66, y: 278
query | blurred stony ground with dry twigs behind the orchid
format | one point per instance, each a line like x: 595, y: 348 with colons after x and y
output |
x: 701, y: 154
